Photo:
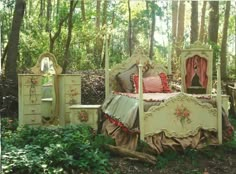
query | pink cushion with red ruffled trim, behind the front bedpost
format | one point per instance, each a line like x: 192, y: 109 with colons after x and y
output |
x: 152, y: 84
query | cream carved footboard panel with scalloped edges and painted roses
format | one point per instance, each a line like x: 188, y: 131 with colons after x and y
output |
x: 180, y: 116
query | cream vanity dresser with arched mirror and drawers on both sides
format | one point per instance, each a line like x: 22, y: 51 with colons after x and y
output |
x: 46, y: 94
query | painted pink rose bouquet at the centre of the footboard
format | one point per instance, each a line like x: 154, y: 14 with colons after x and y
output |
x: 183, y: 114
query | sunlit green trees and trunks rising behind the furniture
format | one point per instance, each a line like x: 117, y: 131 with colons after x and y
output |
x: 74, y: 31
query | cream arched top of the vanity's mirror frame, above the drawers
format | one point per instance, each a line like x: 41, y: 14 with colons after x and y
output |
x: 37, y: 68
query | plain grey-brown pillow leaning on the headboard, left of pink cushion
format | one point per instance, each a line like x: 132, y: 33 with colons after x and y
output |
x: 124, y: 79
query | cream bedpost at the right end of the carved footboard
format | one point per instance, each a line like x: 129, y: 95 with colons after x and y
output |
x: 219, y: 108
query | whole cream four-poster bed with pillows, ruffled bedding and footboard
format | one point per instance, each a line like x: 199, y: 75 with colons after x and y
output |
x: 162, y: 118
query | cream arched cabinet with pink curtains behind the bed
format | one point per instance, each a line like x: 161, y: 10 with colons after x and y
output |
x: 196, y: 60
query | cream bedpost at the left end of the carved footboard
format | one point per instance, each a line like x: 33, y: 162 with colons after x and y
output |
x: 141, y: 112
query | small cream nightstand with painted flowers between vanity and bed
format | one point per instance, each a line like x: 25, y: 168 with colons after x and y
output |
x: 85, y: 114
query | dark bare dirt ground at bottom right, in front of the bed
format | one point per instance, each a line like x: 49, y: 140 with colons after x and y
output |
x: 213, y: 161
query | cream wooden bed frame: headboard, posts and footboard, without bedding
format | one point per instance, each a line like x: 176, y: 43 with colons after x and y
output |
x: 165, y: 118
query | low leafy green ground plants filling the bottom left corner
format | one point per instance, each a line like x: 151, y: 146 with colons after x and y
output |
x: 54, y: 150
